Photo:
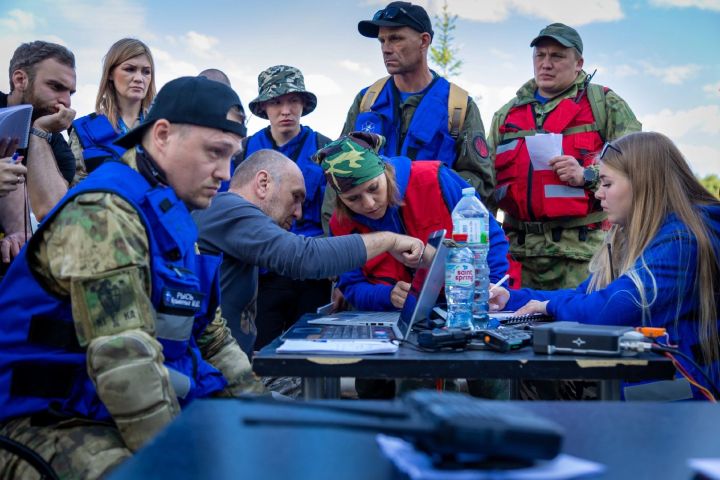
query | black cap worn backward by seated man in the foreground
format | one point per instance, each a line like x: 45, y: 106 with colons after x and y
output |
x: 190, y: 100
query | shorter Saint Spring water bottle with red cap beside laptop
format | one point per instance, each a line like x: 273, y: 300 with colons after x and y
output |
x: 459, y: 283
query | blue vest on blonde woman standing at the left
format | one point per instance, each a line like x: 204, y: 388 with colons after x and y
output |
x: 96, y: 135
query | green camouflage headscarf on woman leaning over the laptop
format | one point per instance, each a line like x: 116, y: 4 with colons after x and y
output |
x: 352, y: 160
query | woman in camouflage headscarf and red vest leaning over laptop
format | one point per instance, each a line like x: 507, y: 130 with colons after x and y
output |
x: 392, y: 194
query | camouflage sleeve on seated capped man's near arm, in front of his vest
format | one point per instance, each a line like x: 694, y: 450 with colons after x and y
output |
x: 96, y: 252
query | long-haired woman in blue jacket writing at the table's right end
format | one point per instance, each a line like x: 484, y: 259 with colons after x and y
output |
x: 659, y: 267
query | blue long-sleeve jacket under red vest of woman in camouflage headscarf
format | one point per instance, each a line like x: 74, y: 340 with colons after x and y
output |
x: 364, y: 295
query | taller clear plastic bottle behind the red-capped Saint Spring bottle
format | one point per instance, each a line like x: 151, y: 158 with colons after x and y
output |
x: 470, y: 216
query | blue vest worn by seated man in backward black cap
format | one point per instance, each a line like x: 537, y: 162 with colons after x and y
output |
x: 42, y: 366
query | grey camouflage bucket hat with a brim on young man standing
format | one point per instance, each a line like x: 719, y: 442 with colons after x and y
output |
x: 280, y: 80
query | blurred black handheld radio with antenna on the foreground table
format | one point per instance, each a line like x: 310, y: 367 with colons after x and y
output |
x: 453, y: 428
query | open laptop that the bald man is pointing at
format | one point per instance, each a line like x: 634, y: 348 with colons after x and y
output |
x: 358, y: 325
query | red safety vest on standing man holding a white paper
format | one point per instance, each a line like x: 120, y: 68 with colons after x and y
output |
x: 528, y: 194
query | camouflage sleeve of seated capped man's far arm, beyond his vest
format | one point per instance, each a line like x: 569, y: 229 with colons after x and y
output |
x: 218, y: 347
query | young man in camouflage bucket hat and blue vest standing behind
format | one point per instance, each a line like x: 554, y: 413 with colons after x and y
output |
x: 283, y: 100
